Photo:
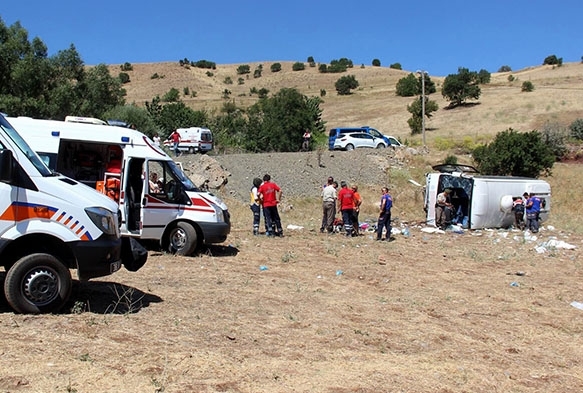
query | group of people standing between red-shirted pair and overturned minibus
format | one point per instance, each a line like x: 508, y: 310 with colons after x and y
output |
x: 348, y: 201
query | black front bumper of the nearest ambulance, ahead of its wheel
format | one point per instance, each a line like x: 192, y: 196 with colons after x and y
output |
x: 97, y: 258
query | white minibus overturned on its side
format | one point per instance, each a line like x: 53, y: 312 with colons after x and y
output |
x: 481, y: 201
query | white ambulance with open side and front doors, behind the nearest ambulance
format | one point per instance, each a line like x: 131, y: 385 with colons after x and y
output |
x: 157, y: 200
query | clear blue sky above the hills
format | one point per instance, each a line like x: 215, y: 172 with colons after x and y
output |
x: 435, y: 36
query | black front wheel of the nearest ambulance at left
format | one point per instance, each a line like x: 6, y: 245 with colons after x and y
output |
x: 37, y: 283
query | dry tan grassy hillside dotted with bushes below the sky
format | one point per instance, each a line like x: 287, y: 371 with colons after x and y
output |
x: 557, y: 96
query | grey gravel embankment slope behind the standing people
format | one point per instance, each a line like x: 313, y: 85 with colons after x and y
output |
x: 300, y: 174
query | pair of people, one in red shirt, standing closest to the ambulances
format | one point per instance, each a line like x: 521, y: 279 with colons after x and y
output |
x: 266, y: 195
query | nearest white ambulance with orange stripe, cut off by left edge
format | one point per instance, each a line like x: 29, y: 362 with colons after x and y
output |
x: 48, y: 225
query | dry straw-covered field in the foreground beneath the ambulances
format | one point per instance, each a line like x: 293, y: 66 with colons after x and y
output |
x: 483, y: 311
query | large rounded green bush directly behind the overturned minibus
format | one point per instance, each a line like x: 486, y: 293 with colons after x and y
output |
x: 515, y: 154
